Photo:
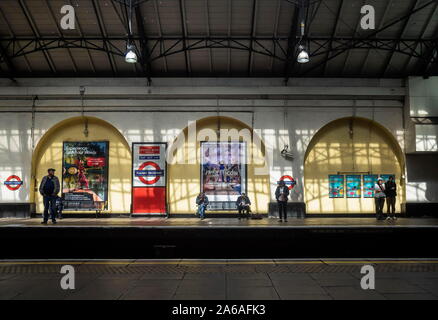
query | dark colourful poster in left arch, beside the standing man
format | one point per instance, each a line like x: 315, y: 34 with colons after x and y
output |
x: 85, y: 175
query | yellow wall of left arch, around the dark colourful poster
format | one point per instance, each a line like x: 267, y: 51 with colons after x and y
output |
x: 49, y: 154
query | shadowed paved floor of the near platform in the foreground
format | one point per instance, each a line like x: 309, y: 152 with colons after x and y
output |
x: 220, y: 279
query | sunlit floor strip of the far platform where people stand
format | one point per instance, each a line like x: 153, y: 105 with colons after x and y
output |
x: 223, y: 222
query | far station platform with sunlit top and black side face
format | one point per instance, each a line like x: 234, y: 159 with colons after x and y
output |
x: 218, y: 238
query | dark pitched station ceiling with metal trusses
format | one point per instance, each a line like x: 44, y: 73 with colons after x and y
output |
x: 215, y: 38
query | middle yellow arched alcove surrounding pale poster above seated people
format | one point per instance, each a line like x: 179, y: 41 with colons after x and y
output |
x: 185, y: 166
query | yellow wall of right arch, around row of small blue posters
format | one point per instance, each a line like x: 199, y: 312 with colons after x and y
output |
x: 333, y: 149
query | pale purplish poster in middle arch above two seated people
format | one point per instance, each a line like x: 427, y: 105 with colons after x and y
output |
x: 223, y: 170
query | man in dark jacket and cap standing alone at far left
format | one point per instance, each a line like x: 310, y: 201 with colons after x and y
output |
x: 49, y: 189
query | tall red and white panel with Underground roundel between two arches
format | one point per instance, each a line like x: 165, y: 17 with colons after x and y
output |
x: 149, y: 178
